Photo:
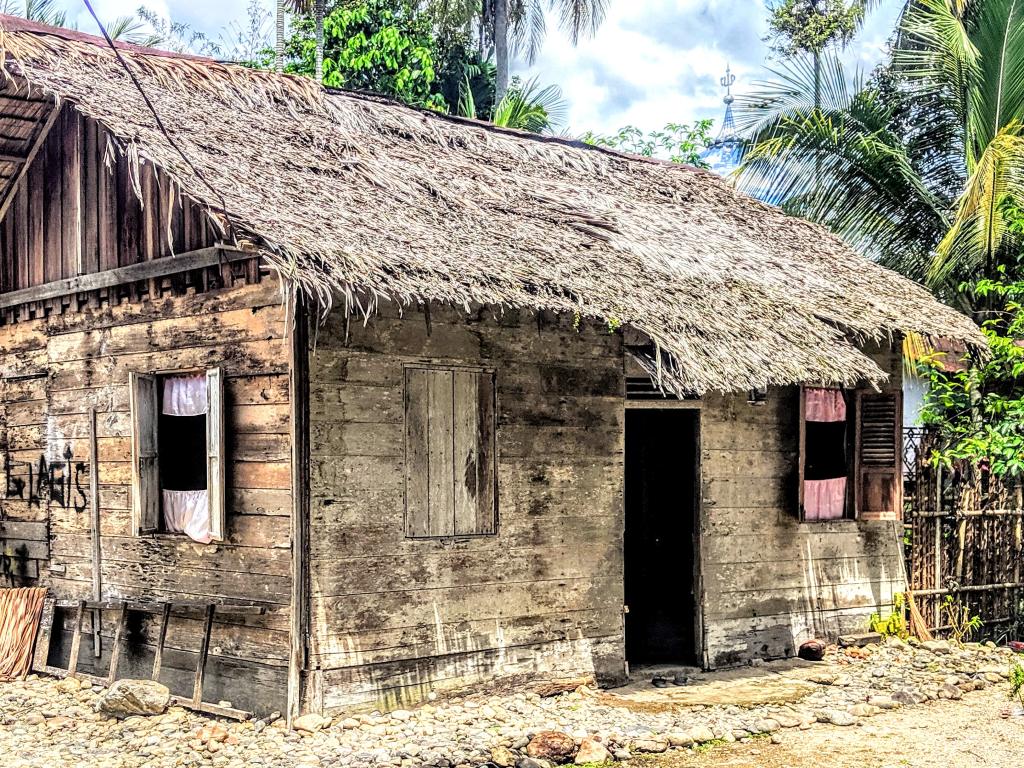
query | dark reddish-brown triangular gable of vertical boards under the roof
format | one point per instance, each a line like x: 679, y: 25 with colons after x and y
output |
x: 76, y: 211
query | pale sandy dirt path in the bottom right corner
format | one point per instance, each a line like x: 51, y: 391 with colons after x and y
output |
x: 937, y: 736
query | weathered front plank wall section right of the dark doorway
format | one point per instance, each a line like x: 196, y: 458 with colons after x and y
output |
x: 772, y: 582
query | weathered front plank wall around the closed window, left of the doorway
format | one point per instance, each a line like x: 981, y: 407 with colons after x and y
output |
x: 395, y: 619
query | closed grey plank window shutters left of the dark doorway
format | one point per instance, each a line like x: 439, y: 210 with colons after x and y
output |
x: 450, y: 453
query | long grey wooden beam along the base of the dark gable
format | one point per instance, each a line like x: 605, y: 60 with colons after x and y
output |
x: 119, y: 276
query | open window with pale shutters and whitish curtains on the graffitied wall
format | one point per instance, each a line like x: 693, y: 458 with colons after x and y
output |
x: 179, y: 455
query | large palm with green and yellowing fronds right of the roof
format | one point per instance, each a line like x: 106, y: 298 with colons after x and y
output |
x: 917, y: 166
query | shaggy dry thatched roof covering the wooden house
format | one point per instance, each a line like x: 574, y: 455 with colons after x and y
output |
x: 355, y: 196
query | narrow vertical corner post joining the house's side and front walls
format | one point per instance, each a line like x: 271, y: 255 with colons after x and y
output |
x: 300, y: 399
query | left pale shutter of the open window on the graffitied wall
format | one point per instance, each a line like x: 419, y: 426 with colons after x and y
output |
x: 144, y: 403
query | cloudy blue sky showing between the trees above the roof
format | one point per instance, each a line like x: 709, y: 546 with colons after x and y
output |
x: 652, y: 63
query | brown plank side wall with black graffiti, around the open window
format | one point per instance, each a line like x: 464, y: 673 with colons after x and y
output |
x: 77, y: 361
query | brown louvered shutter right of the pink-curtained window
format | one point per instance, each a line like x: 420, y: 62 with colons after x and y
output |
x: 879, y: 456
